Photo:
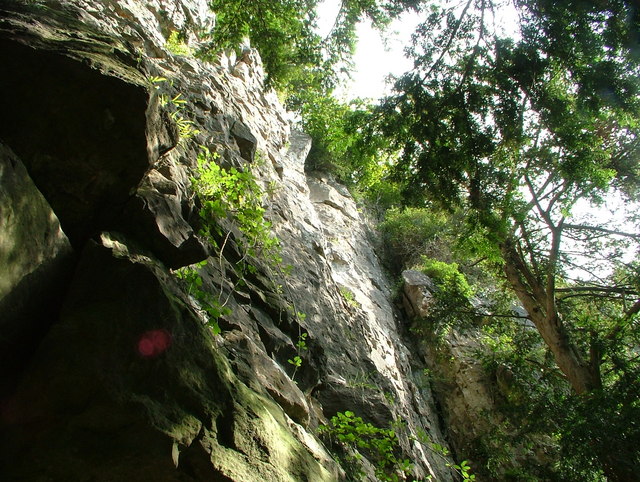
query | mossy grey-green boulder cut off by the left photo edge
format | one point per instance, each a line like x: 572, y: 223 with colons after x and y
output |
x: 36, y: 261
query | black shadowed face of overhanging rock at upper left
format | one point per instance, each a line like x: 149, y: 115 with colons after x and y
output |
x: 81, y: 134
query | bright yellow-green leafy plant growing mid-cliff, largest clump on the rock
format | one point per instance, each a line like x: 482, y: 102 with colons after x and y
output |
x: 230, y: 193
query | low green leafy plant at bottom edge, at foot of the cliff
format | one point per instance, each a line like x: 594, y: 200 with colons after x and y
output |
x: 379, y: 445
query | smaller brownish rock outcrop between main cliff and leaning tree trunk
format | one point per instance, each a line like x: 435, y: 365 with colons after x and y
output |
x: 469, y: 396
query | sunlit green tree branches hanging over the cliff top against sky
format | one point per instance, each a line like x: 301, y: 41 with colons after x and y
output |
x: 285, y: 34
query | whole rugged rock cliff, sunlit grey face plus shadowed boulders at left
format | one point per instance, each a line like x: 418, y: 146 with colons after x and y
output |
x: 109, y: 370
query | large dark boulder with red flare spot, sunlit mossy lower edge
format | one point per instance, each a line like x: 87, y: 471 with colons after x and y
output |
x: 130, y: 385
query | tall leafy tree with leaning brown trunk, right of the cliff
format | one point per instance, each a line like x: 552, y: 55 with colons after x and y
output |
x: 517, y: 133
